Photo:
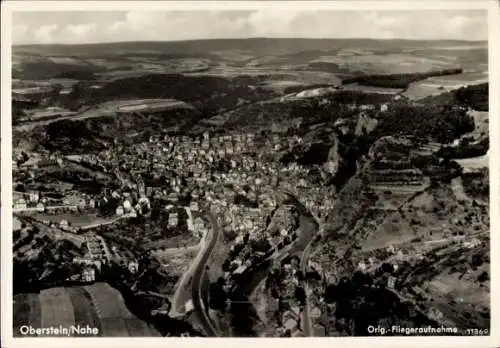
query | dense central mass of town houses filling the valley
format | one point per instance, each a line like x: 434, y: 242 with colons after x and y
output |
x: 184, y: 165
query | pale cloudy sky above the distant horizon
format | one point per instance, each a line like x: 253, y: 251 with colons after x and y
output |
x: 113, y: 26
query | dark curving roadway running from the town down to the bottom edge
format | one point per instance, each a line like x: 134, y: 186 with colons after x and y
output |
x: 198, y: 274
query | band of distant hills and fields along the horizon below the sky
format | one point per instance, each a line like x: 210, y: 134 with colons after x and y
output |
x: 350, y: 57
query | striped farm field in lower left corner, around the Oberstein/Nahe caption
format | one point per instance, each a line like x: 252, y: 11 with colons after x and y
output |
x: 97, y: 305
